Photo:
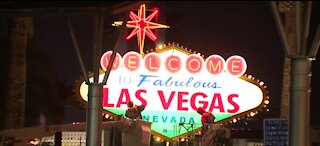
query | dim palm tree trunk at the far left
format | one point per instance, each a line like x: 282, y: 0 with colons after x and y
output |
x: 20, y: 31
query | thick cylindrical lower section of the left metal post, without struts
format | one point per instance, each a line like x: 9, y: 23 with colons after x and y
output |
x: 94, y: 115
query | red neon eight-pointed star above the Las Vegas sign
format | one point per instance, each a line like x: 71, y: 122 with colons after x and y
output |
x: 142, y: 26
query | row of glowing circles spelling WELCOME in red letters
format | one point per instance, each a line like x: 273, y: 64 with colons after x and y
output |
x: 153, y: 62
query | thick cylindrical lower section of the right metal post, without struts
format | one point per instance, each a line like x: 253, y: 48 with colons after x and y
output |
x: 299, y: 101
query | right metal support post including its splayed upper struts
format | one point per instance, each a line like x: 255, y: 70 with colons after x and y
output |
x: 300, y: 54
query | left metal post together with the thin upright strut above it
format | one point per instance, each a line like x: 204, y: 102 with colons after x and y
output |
x: 95, y: 93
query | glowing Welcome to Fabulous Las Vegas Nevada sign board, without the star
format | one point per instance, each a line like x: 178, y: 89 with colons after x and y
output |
x: 173, y: 82
